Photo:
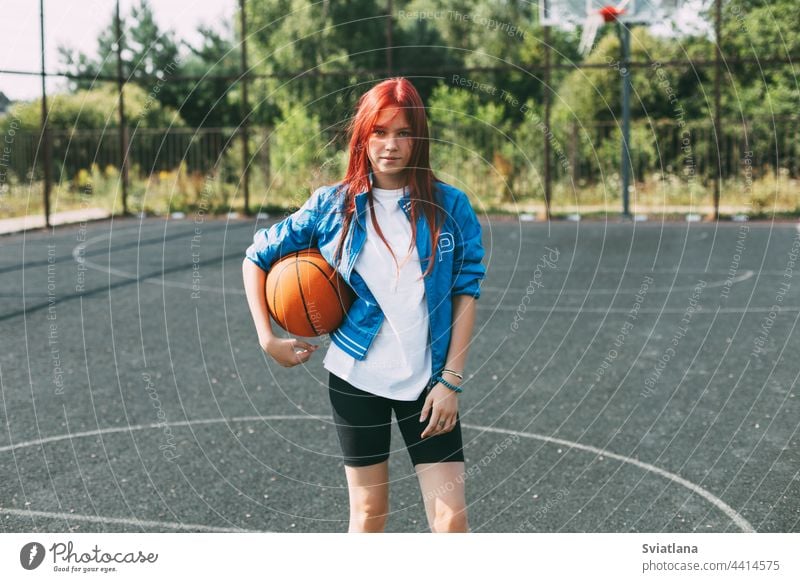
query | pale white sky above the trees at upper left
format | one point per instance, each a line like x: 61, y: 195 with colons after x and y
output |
x: 77, y: 23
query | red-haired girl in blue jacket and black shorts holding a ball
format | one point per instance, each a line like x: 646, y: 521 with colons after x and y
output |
x: 389, y: 159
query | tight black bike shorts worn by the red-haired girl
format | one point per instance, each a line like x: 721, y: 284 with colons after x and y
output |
x: 364, y: 421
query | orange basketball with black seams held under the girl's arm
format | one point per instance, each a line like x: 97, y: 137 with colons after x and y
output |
x: 305, y: 295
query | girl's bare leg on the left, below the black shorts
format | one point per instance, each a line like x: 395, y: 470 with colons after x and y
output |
x: 368, y: 489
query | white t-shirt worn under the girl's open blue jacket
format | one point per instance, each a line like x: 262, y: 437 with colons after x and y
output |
x: 398, y: 362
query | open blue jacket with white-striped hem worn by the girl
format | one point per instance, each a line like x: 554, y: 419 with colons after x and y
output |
x: 458, y: 269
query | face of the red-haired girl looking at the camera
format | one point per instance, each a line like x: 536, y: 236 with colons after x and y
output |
x: 389, y: 148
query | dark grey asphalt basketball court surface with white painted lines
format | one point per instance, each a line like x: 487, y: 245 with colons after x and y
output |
x: 623, y: 377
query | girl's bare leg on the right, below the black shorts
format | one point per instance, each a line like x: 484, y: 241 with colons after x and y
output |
x: 442, y: 486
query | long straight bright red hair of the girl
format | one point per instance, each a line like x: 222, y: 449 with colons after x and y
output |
x: 394, y: 92
